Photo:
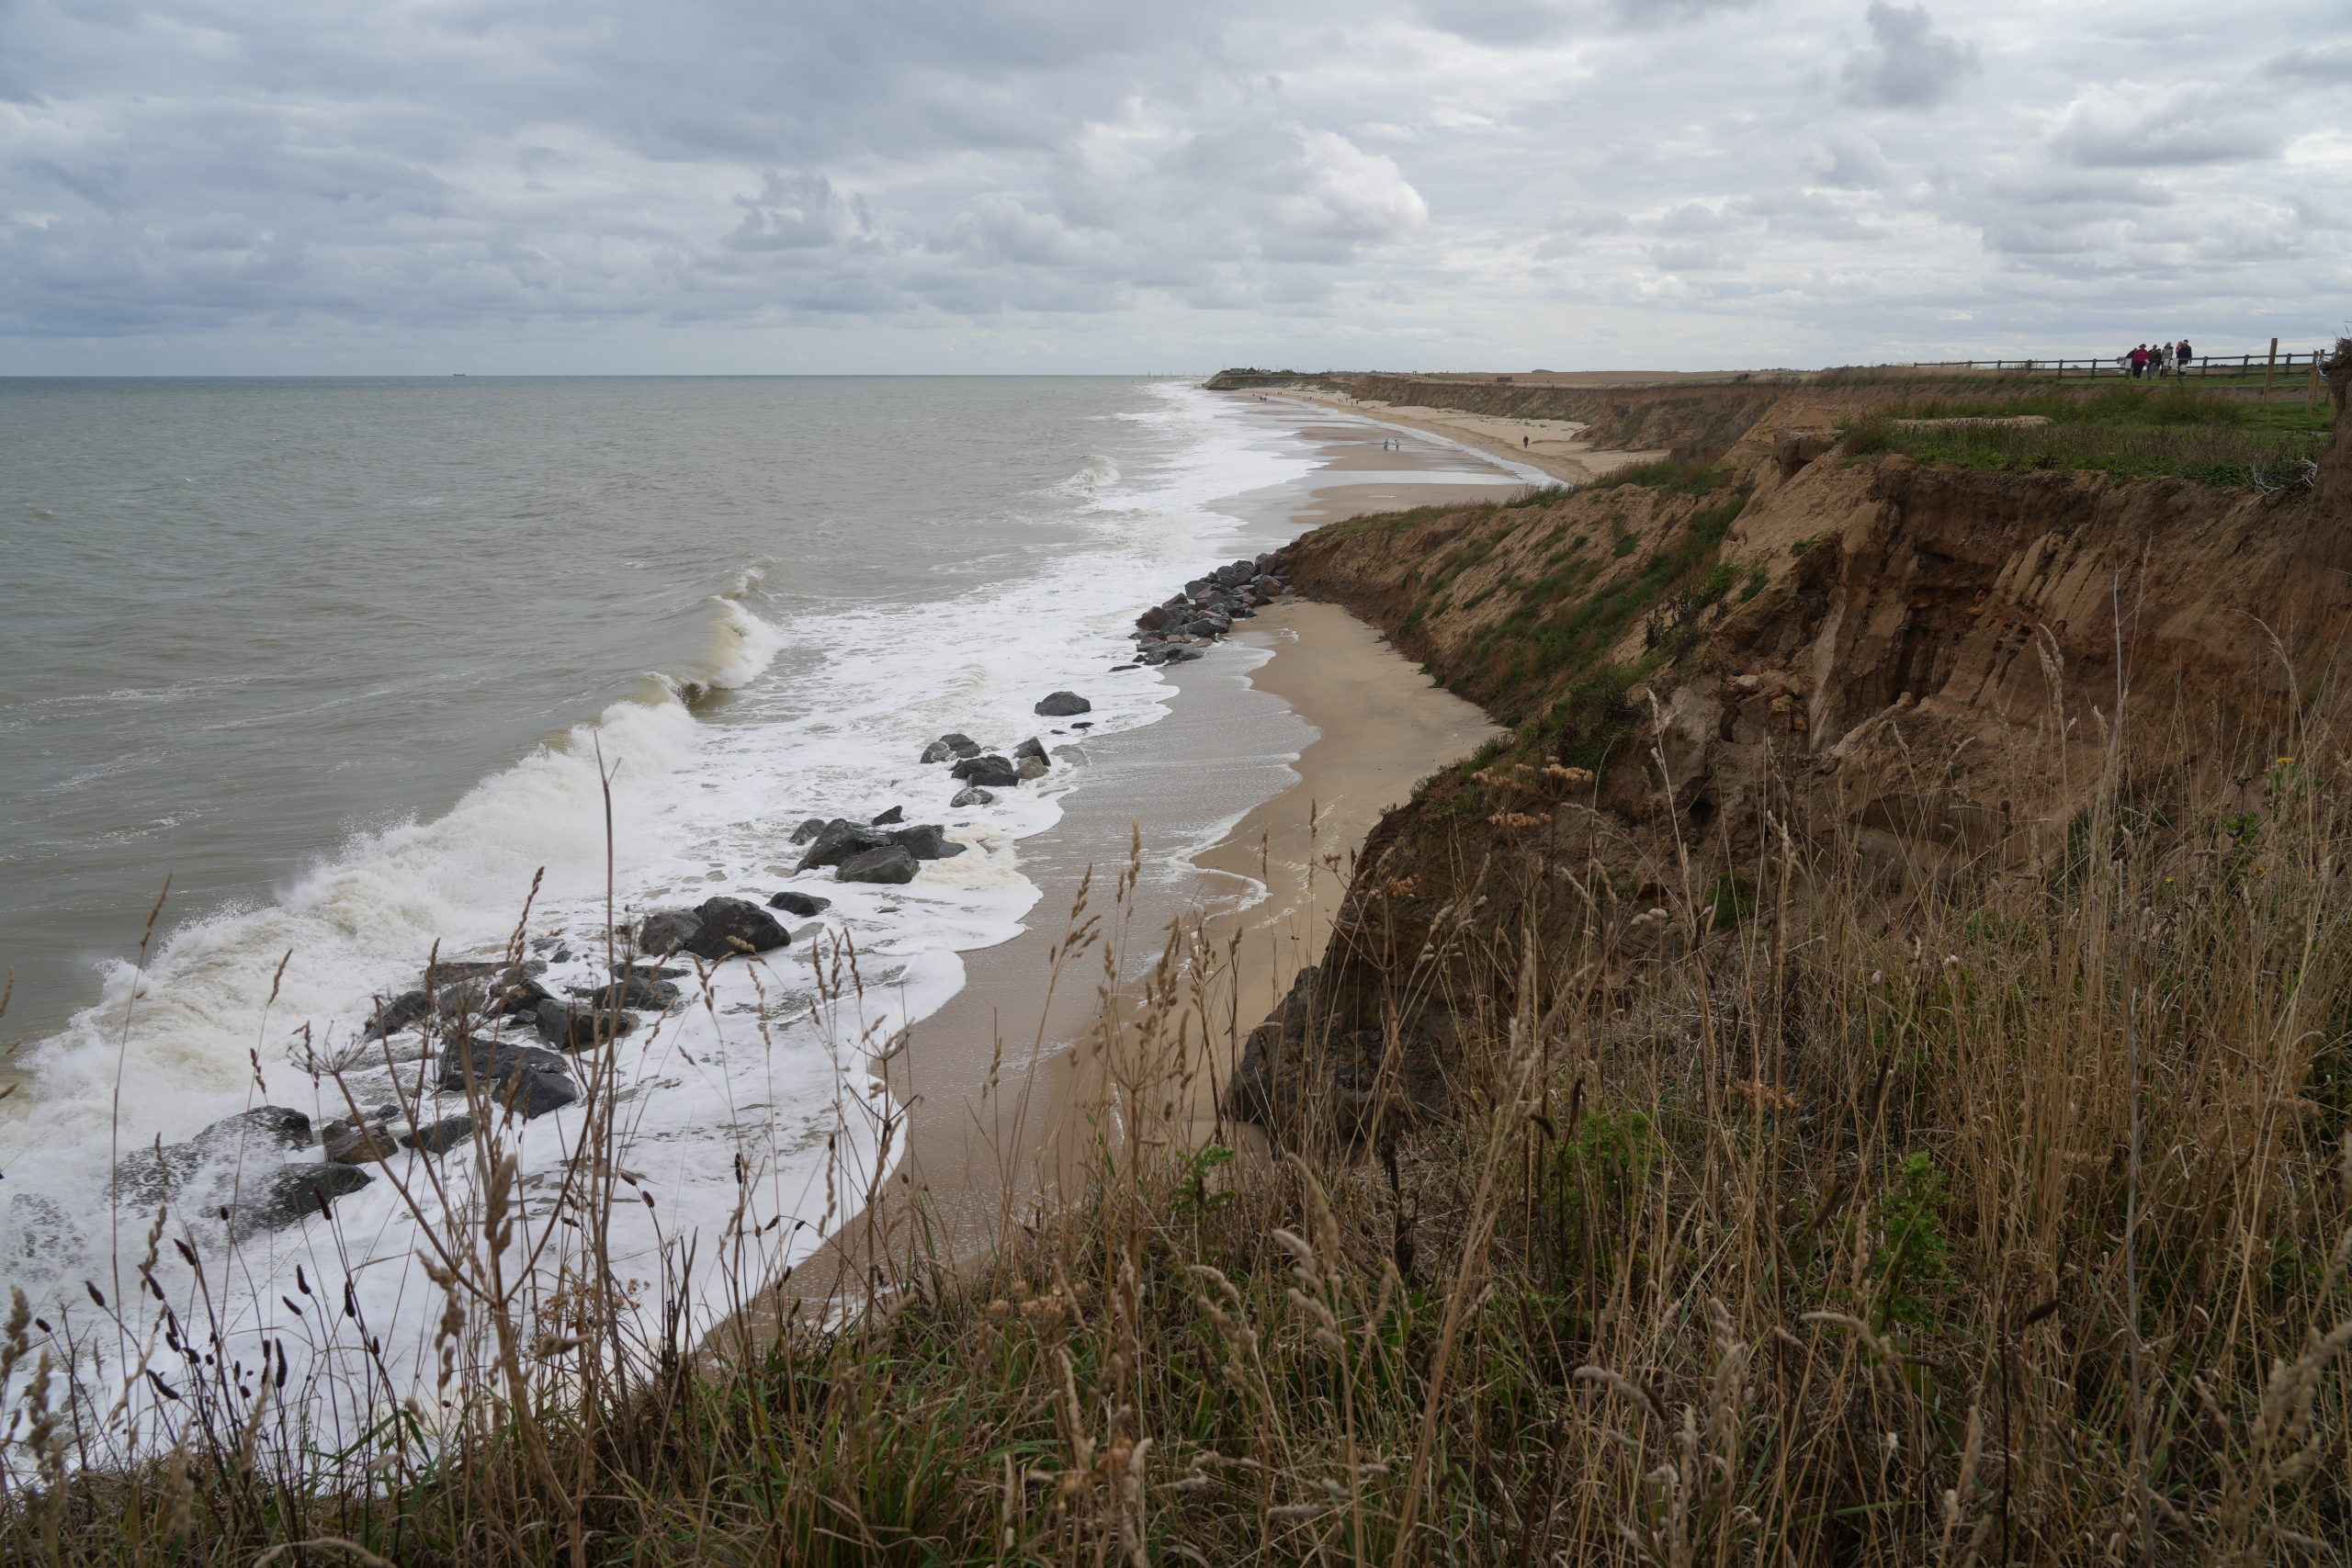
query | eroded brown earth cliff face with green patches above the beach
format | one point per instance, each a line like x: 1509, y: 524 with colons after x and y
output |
x: 1789, y: 655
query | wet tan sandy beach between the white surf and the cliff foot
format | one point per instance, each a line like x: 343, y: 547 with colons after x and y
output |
x: 1311, y: 716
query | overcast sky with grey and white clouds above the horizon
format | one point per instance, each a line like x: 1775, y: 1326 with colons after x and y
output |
x: 1125, y: 187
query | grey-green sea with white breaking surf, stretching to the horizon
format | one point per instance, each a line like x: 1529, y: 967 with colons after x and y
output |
x: 356, y: 664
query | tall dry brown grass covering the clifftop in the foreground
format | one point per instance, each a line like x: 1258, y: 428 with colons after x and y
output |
x: 1993, y: 1228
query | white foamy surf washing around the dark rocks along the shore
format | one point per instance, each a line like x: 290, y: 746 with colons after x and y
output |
x: 749, y: 1137
